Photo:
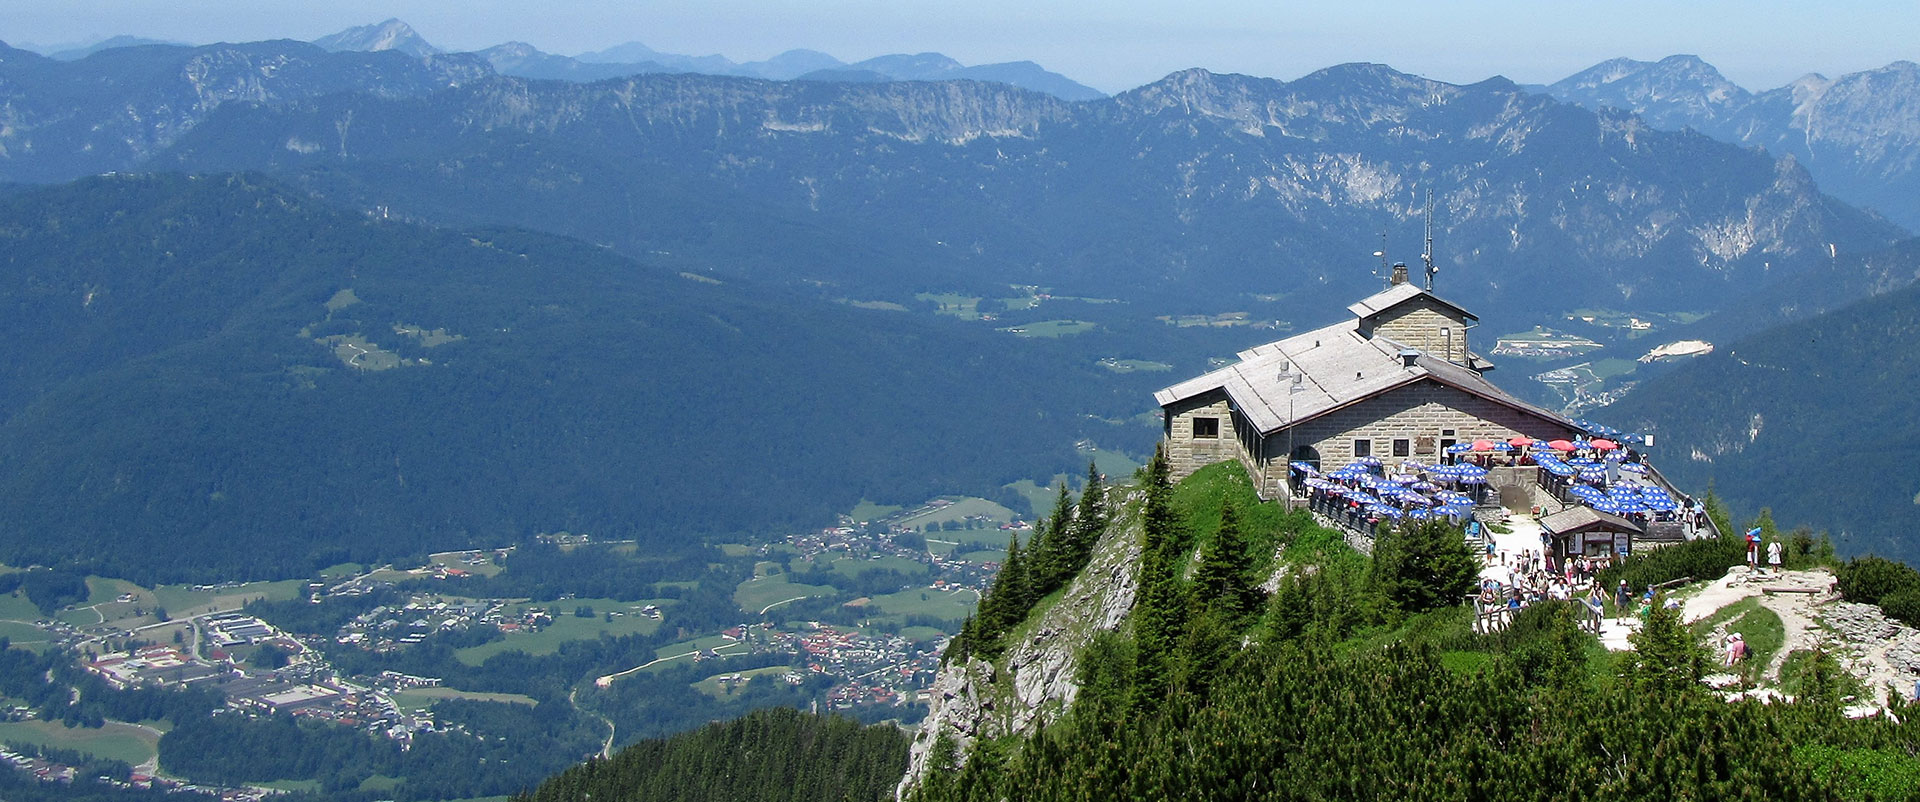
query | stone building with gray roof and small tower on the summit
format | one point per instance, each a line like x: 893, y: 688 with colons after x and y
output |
x: 1399, y: 383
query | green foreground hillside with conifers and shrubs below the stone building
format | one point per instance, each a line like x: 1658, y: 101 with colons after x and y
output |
x: 1362, y: 678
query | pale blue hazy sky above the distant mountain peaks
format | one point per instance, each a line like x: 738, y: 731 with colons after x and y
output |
x: 1111, y: 45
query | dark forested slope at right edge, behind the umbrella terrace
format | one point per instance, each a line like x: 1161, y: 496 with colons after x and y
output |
x: 1812, y: 419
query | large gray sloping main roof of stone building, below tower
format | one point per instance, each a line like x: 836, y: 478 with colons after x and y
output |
x: 1310, y: 375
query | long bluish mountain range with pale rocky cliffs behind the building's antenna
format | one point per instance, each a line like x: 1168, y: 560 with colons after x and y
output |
x: 1164, y: 193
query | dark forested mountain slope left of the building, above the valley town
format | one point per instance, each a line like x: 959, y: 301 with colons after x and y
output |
x: 224, y: 379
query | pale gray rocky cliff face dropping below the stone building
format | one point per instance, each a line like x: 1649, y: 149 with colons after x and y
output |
x: 1034, y: 682
